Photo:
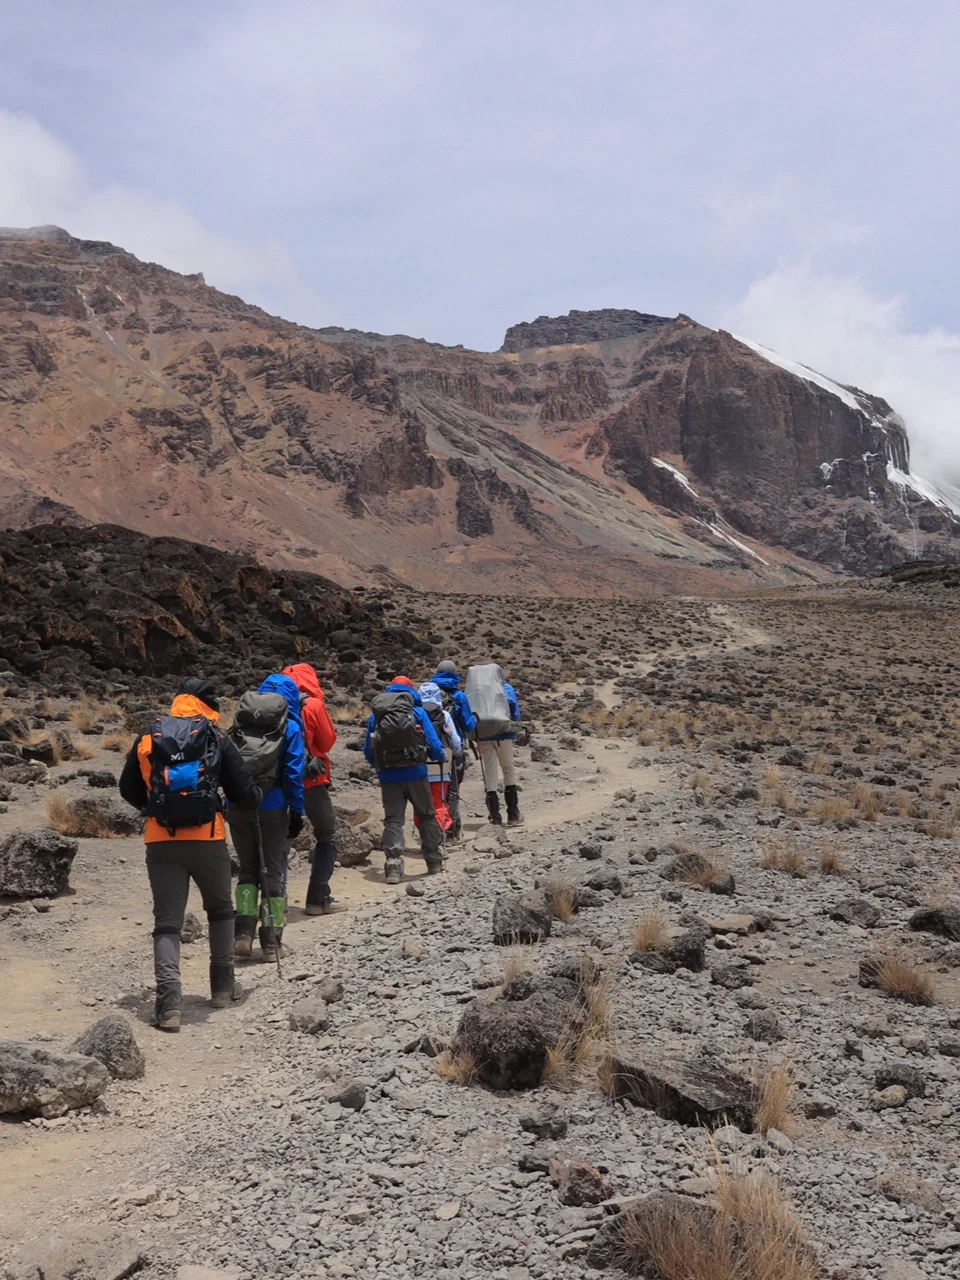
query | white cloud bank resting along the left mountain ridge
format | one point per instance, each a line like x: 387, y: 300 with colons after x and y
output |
x: 43, y: 182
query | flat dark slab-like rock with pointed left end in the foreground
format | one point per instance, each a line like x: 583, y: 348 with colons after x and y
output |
x: 693, y: 1092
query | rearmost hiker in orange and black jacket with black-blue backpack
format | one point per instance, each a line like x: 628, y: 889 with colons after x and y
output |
x: 172, y: 774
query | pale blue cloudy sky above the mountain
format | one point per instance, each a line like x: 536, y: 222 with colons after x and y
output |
x: 446, y: 170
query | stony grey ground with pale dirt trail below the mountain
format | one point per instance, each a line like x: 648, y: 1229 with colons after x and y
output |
x: 723, y: 840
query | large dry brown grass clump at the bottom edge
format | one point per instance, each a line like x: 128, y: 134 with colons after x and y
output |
x: 752, y: 1235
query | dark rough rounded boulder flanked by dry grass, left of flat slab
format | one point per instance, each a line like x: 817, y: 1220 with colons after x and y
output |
x: 509, y: 1039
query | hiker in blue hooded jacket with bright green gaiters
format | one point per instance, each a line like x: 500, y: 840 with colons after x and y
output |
x: 268, y: 734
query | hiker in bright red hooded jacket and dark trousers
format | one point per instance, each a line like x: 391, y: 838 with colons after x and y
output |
x: 319, y: 738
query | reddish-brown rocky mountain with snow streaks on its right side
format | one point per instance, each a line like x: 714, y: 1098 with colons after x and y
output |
x: 604, y: 452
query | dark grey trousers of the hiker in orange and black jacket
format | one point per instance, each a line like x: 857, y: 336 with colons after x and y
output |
x: 172, y: 865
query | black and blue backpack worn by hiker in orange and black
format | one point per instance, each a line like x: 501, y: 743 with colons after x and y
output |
x: 185, y: 772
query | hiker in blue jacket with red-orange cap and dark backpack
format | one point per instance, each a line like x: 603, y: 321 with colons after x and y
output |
x: 400, y: 740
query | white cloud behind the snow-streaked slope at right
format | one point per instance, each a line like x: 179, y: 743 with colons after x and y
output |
x: 842, y: 328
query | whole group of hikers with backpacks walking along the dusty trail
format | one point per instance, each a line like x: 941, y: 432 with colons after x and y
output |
x: 273, y: 769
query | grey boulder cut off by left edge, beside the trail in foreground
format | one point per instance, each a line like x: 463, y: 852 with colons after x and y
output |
x: 40, y: 1082
